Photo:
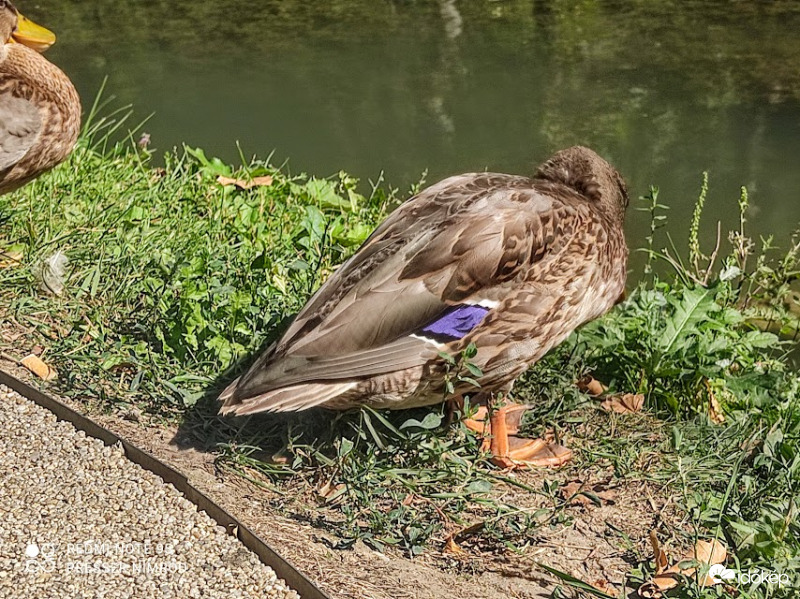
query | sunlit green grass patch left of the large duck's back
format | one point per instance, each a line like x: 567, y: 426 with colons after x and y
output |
x: 171, y: 274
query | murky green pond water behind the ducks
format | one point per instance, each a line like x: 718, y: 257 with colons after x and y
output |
x: 663, y: 89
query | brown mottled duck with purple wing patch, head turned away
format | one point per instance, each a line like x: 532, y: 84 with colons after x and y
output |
x: 506, y: 266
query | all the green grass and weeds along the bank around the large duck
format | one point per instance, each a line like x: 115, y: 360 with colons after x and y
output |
x: 173, y: 279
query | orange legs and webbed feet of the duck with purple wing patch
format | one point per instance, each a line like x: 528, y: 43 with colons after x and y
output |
x: 507, y: 449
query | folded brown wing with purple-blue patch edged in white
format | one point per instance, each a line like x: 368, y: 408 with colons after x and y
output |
x: 460, y: 243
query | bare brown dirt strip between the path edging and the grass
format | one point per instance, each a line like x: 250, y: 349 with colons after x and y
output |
x: 597, y: 544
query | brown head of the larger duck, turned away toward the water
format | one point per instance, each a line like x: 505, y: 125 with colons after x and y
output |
x: 584, y: 171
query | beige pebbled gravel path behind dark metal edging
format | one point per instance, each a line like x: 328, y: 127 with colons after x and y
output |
x: 77, y: 519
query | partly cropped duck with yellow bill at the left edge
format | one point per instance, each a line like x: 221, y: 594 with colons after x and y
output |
x: 40, y: 110
